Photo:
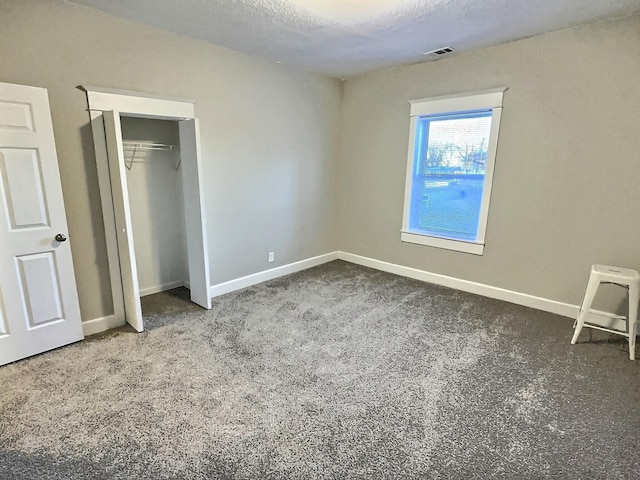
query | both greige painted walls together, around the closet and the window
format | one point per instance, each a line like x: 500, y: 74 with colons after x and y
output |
x: 565, y: 187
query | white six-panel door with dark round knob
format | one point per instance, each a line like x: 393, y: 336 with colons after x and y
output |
x: 38, y: 298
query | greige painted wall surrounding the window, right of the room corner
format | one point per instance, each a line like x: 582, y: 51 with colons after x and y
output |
x: 566, y: 189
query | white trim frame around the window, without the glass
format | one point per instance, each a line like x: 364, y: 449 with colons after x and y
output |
x: 450, y: 104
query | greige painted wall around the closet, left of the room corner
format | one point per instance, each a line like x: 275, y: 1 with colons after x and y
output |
x: 268, y: 134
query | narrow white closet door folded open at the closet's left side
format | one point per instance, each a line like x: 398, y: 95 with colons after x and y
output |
x: 122, y: 214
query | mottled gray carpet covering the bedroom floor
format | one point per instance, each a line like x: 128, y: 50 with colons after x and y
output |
x: 337, y: 372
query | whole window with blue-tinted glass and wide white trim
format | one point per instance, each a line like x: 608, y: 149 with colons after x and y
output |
x: 452, y: 149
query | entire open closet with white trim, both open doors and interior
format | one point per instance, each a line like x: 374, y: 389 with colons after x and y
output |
x: 148, y: 160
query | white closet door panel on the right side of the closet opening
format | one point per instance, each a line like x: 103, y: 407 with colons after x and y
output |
x: 195, y: 220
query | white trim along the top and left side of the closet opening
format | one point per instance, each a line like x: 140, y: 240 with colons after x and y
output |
x: 129, y: 103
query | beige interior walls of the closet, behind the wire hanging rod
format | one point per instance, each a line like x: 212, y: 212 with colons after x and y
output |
x: 154, y: 185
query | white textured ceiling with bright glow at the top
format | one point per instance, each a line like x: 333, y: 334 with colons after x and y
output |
x: 343, y: 38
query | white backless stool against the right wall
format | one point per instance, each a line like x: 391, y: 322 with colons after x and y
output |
x: 624, y: 277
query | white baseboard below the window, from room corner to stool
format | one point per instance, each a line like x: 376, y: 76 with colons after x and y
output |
x: 564, y: 309
